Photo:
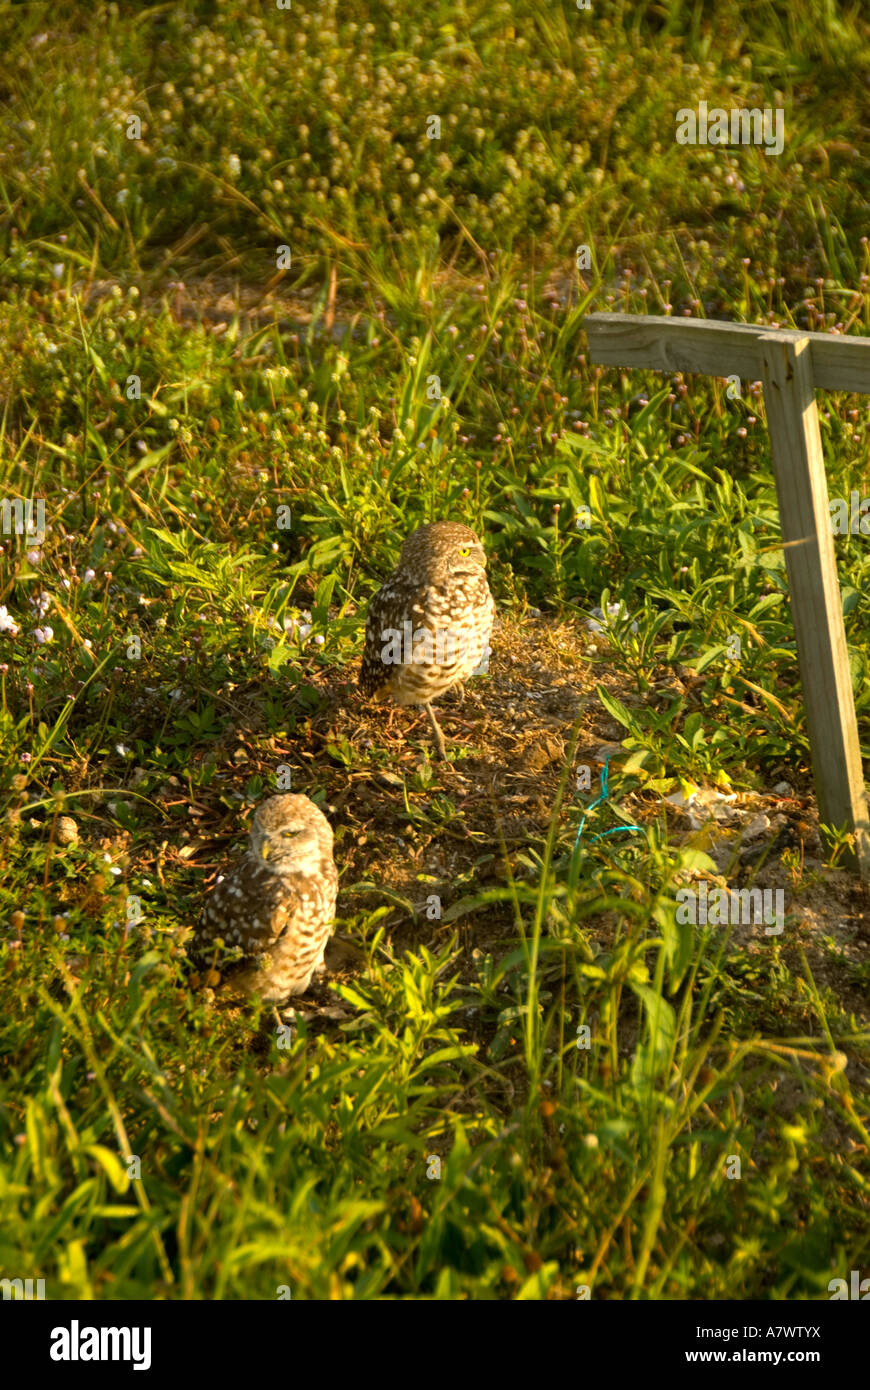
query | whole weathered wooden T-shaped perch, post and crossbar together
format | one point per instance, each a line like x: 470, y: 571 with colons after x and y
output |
x: 791, y: 365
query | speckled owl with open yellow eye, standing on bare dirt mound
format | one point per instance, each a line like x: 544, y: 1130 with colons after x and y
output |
x: 429, y: 626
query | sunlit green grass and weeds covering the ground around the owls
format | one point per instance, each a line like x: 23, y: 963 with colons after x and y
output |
x: 265, y: 479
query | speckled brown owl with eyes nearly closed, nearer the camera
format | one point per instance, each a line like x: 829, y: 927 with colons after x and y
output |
x: 279, y: 903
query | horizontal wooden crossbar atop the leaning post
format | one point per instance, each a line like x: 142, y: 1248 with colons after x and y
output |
x: 721, y: 350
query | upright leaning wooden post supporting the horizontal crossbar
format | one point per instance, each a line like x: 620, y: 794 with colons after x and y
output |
x: 803, y: 494
